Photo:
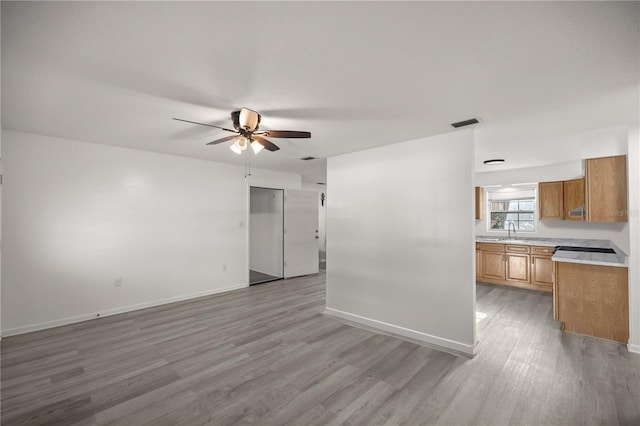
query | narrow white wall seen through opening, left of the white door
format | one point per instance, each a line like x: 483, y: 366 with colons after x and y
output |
x: 266, y: 231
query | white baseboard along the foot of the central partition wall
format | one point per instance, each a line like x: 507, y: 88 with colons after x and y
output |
x: 424, y: 339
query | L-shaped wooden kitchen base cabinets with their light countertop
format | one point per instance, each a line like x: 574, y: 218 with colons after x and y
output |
x: 590, y: 288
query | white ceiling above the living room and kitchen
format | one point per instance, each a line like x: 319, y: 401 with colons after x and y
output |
x: 355, y: 74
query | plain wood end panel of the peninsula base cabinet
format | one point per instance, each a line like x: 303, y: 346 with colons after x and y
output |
x: 593, y: 300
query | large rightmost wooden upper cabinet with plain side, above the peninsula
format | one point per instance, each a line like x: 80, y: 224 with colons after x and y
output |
x: 606, y: 187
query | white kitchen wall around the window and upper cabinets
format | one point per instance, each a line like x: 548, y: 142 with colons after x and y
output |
x: 594, y: 144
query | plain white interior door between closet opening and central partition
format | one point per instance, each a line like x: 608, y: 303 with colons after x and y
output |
x: 301, y: 250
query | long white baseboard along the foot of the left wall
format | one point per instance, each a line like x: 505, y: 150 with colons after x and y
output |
x: 115, y: 311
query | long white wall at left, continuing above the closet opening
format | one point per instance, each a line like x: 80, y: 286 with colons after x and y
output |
x: 77, y: 216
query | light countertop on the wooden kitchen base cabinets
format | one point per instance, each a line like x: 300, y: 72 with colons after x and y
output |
x: 604, y: 259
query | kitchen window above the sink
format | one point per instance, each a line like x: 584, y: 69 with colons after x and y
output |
x: 516, y: 206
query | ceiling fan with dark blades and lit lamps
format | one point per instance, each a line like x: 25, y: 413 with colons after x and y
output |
x: 246, y: 123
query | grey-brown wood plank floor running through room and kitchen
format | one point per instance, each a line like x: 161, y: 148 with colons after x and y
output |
x: 266, y: 355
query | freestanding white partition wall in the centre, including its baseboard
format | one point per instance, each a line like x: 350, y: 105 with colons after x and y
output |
x: 400, y: 247
